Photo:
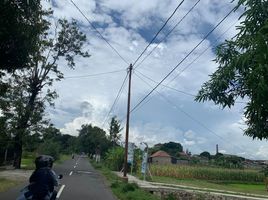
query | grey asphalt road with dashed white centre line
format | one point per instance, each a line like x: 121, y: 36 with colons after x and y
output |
x: 80, y: 182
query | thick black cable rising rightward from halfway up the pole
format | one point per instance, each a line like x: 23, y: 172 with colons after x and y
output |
x: 183, y: 60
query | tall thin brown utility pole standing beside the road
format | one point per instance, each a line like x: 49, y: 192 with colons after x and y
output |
x: 127, y: 123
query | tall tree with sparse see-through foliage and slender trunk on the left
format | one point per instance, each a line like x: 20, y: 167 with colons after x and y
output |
x: 29, y: 90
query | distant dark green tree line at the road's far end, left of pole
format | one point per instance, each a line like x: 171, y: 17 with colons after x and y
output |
x: 49, y: 140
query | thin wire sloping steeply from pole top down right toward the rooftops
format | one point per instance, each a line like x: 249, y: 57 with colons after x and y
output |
x: 188, y: 115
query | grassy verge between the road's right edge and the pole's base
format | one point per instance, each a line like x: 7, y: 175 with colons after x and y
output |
x: 121, y: 189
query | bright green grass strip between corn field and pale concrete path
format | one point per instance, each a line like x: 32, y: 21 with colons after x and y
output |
x: 249, y: 188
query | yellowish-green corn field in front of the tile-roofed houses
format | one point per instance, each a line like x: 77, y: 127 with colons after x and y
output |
x: 206, y: 173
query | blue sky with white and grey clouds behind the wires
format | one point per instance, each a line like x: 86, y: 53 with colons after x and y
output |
x: 170, y: 113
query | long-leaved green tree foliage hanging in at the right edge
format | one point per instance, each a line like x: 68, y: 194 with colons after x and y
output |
x: 243, y: 69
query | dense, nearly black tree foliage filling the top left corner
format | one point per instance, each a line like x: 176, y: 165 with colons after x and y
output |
x: 19, y: 32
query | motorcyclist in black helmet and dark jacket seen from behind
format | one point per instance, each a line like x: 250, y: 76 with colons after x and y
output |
x: 43, y: 179
